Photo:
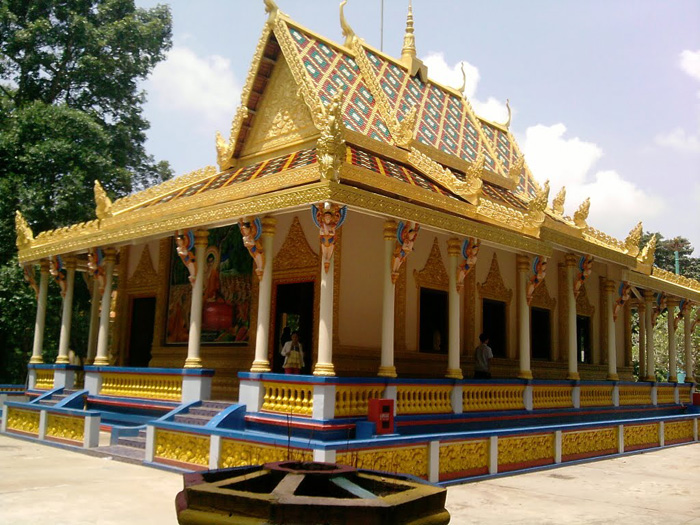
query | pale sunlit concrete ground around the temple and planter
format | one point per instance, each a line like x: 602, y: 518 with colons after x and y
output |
x: 44, y: 484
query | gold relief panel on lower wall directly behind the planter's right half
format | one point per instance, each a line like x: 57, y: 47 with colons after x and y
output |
x: 406, y: 460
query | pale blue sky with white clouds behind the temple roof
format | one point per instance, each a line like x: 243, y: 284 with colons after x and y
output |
x: 605, y: 94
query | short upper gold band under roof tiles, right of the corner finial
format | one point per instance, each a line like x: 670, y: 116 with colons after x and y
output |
x: 369, y: 178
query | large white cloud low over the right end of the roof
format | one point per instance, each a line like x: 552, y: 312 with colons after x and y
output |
x: 616, y: 203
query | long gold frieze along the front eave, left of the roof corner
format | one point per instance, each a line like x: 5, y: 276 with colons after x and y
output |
x: 154, y: 223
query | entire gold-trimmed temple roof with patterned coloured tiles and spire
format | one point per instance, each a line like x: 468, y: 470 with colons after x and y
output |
x: 321, y: 120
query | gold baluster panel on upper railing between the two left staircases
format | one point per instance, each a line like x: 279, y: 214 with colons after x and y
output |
x: 144, y: 386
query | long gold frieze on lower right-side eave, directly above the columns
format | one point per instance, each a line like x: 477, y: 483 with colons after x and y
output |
x: 426, y: 217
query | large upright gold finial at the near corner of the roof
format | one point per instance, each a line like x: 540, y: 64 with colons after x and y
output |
x: 330, y: 148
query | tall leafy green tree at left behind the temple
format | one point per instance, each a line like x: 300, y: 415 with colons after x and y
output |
x: 70, y: 113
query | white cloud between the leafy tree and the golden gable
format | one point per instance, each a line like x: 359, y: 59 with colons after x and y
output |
x: 187, y: 85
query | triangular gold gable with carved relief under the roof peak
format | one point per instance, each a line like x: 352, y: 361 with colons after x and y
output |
x: 282, y: 118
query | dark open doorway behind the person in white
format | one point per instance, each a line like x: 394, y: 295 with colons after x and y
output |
x: 294, y: 311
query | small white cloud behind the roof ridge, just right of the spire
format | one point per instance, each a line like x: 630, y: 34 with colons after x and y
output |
x: 440, y: 71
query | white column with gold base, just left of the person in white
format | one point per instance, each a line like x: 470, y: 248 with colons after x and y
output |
x: 262, y: 333
